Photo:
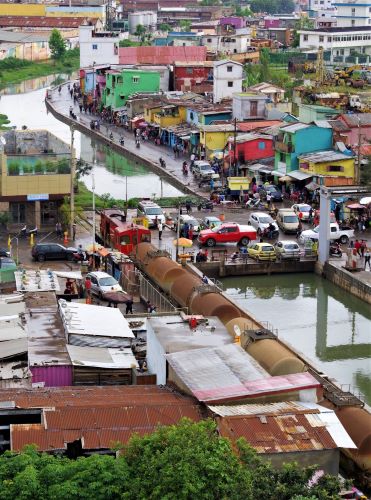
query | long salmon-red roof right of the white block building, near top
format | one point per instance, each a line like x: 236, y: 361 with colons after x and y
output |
x: 161, y: 55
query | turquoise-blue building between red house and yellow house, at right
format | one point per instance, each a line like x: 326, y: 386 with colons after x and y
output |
x: 297, y: 139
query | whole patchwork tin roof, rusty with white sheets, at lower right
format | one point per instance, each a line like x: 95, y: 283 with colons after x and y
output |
x: 283, y: 427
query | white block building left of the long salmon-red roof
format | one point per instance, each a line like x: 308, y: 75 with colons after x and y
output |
x: 98, y: 47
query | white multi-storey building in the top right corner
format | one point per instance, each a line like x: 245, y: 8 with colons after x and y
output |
x: 353, y: 13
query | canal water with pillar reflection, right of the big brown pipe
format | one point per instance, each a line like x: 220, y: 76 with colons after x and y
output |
x: 322, y: 321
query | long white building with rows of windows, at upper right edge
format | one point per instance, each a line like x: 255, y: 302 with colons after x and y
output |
x: 345, y: 45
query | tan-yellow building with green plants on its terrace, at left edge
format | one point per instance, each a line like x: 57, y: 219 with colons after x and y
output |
x: 35, y: 177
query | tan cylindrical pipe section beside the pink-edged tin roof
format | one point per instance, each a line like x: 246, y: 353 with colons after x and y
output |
x: 275, y: 358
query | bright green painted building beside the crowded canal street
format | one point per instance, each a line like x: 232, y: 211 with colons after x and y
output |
x: 121, y: 85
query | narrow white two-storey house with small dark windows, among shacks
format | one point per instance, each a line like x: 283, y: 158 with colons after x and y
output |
x: 228, y: 77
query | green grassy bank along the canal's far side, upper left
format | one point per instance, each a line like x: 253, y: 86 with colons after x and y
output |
x: 14, y: 70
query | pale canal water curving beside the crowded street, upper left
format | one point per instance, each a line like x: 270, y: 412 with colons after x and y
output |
x: 111, y: 171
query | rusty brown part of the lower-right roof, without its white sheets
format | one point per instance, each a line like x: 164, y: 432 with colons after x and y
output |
x: 278, y: 434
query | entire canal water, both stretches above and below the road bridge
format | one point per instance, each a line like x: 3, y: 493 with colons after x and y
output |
x: 330, y: 327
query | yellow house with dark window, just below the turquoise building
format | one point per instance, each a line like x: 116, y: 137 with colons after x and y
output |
x: 333, y: 166
